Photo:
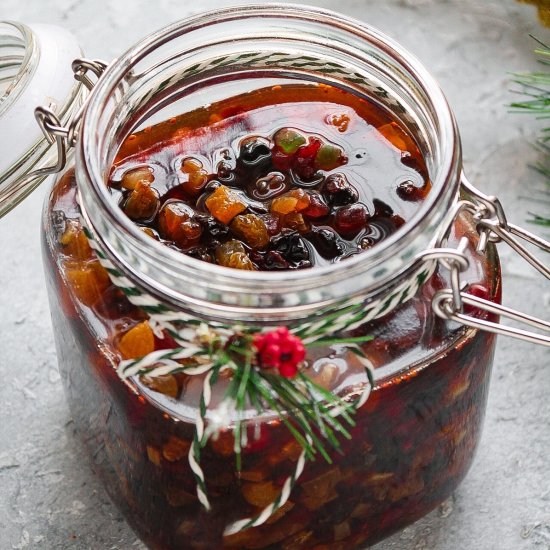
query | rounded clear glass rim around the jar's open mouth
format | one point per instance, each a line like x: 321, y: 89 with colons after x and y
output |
x: 242, y: 286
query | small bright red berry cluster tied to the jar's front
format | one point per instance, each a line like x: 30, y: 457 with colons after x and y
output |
x: 281, y: 350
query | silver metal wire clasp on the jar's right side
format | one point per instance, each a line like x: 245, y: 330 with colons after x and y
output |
x: 492, y: 226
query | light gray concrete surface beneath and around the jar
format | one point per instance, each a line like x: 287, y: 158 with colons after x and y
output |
x: 48, y: 496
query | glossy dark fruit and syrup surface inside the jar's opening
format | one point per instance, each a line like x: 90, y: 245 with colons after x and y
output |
x: 286, y: 177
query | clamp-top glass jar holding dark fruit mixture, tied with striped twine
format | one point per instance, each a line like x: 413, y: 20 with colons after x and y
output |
x: 155, y: 433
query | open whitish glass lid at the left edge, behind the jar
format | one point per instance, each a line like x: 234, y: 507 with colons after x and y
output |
x: 35, y: 70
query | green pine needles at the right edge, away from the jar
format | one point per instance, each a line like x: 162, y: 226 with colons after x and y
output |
x: 535, y: 87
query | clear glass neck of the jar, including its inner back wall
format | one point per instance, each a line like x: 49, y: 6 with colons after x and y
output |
x: 177, y: 66
